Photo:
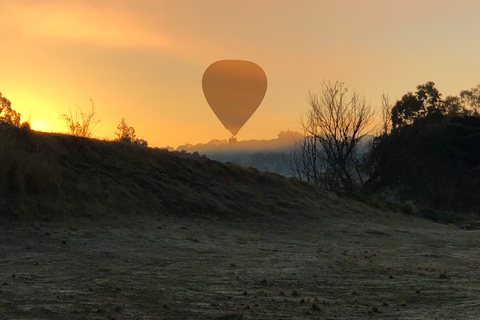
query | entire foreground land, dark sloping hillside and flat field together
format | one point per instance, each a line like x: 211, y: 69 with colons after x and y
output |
x: 107, y: 230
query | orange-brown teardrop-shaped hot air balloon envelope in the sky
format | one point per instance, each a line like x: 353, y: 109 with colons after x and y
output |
x: 234, y: 89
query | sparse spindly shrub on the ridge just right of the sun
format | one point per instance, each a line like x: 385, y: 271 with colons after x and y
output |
x: 84, y: 125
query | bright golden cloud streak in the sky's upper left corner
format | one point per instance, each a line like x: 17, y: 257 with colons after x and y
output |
x: 80, y: 23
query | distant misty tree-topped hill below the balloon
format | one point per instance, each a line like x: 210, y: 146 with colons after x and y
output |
x: 264, y: 155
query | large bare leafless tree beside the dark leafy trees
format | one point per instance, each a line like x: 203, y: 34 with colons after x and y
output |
x: 336, y: 122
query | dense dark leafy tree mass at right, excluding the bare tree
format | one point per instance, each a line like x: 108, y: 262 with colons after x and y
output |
x: 432, y: 153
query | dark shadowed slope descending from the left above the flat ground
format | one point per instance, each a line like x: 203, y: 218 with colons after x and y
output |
x: 54, y: 176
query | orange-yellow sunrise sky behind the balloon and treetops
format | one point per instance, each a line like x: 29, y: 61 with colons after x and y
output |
x: 143, y: 60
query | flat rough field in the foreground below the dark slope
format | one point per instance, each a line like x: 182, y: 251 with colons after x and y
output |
x: 315, y: 267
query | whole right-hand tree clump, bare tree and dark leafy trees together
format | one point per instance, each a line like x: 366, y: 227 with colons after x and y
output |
x: 426, y: 153
